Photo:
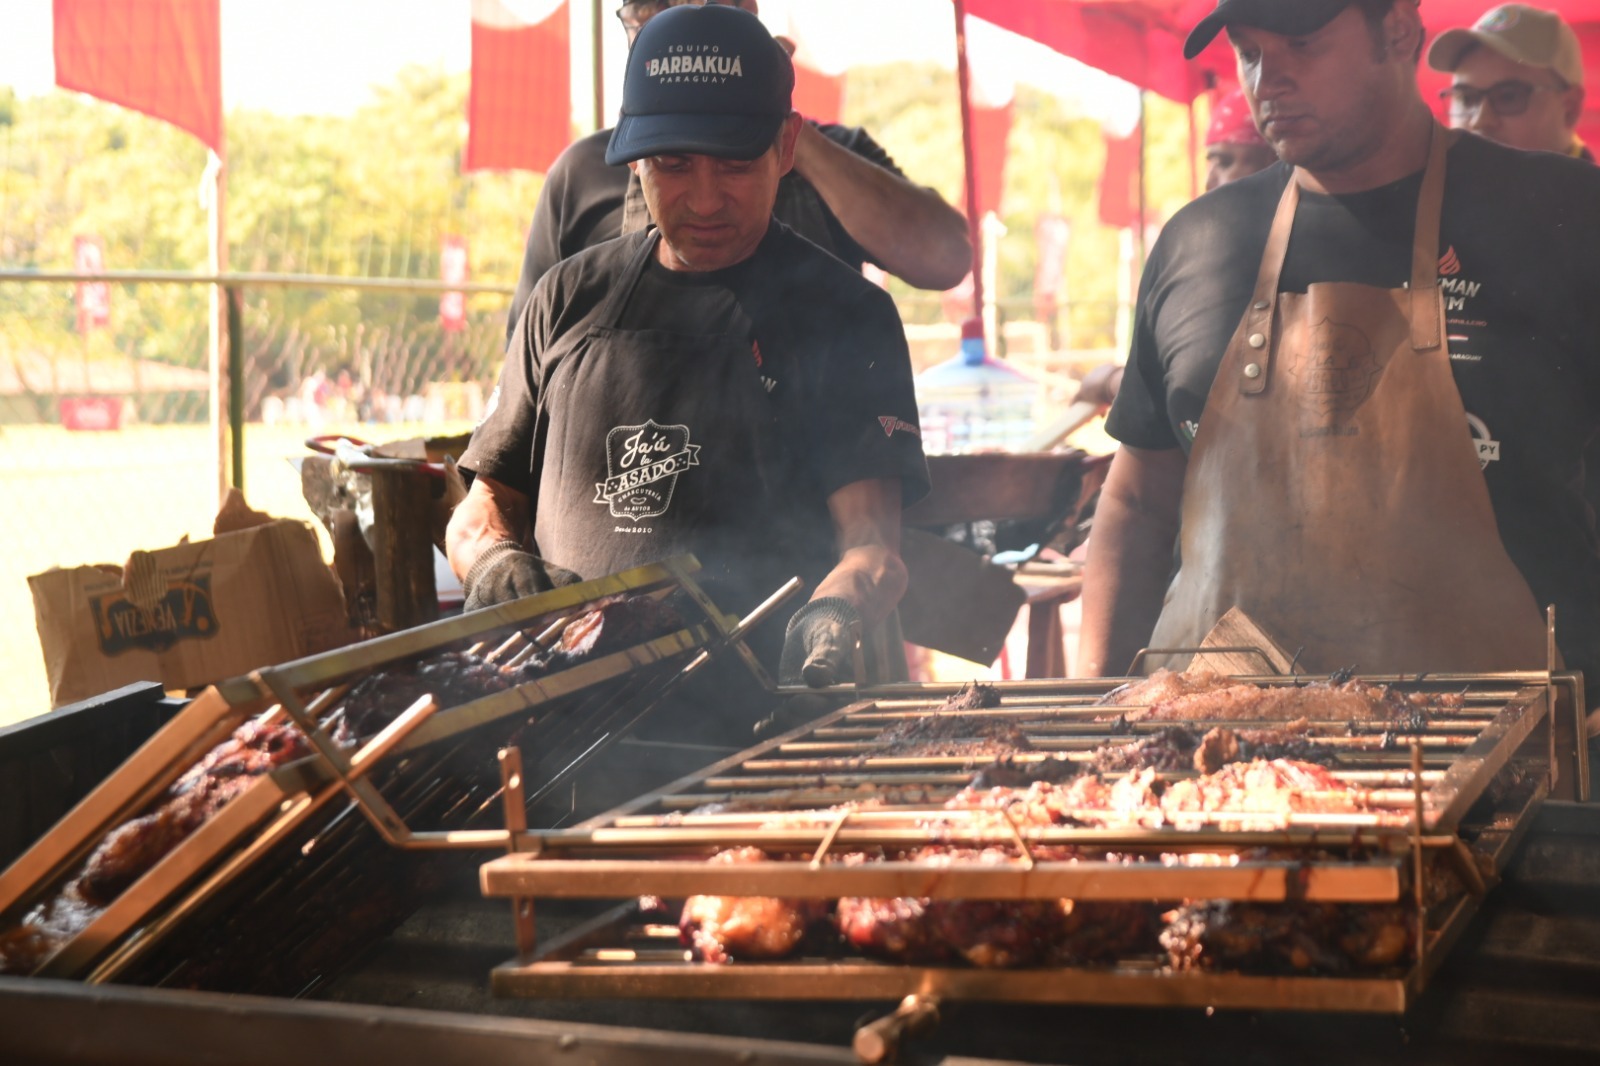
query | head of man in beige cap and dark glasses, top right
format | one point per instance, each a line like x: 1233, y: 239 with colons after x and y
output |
x: 1518, y: 79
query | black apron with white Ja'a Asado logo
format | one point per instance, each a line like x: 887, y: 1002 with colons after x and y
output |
x: 663, y: 444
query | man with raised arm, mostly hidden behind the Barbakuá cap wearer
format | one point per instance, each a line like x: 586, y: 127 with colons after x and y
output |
x: 844, y: 196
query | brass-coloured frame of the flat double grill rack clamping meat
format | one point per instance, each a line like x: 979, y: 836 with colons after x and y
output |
x: 631, y: 852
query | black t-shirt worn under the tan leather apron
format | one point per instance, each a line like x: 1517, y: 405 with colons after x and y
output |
x: 1522, y: 303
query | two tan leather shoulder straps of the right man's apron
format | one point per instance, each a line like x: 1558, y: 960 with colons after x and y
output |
x: 1428, y: 305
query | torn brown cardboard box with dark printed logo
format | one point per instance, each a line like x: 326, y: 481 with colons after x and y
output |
x: 190, y: 615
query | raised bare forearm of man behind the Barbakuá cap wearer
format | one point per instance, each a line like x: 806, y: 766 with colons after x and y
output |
x: 905, y: 228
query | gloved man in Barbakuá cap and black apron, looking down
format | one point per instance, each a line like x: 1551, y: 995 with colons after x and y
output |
x: 716, y: 385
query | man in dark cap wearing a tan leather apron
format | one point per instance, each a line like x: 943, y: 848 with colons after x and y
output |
x: 1361, y: 382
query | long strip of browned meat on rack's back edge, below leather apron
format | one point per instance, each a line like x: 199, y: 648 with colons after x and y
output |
x: 1204, y: 695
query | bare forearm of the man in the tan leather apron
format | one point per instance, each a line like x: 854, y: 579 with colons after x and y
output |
x: 1130, y: 559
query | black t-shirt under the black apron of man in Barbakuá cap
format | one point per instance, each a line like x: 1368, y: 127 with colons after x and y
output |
x: 828, y: 348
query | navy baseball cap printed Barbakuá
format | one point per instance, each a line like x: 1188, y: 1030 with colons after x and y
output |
x: 703, y: 81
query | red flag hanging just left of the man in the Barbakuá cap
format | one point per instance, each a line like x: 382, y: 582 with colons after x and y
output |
x: 521, y: 102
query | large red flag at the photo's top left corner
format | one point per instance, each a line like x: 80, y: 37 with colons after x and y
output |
x: 159, y: 57
